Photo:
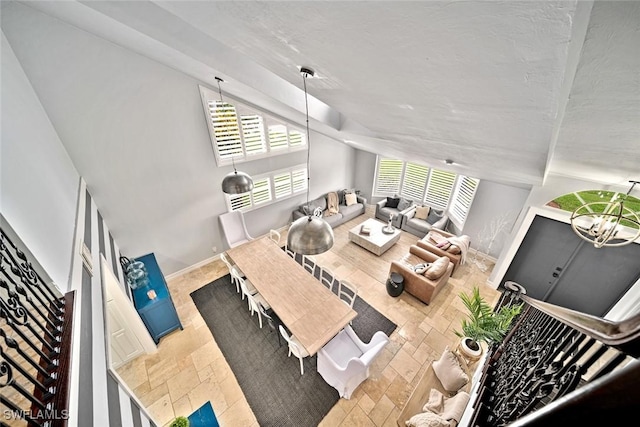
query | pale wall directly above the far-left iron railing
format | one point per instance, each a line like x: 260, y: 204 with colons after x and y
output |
x: 31, y: 154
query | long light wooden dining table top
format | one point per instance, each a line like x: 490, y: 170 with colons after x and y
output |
x: 311, y: 312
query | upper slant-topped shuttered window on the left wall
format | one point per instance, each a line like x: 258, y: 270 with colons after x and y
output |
x: 243, y: 133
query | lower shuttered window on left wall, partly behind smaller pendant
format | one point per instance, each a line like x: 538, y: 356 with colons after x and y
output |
x: 270, y: 188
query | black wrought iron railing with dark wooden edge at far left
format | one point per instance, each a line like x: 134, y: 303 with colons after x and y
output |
x: 35, y: 343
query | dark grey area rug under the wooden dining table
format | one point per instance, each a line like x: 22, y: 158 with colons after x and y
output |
x: 270, y: 380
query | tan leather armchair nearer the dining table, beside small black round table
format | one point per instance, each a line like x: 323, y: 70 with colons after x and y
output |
x: 416, y: 284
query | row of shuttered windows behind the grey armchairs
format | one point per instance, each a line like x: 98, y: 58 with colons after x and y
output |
x: 437, y: 188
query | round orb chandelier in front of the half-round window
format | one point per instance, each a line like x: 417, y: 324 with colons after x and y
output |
x: 607, y: 223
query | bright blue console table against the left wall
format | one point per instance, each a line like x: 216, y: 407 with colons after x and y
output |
x: 158, y: 314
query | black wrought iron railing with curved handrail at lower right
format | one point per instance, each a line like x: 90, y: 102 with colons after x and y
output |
x: 559, y: 367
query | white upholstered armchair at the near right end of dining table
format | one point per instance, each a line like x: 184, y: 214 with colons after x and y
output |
x: 344, y: 361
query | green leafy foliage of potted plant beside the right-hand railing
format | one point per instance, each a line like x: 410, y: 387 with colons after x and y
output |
x: 482, y: 322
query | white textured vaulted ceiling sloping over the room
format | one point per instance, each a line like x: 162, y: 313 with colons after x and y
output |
x: 510, y: 90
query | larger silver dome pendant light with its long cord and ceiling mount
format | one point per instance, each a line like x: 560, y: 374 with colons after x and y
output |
x: 309, y: 235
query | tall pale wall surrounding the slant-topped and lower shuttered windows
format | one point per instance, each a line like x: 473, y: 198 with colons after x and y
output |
x: 136, y: 132
